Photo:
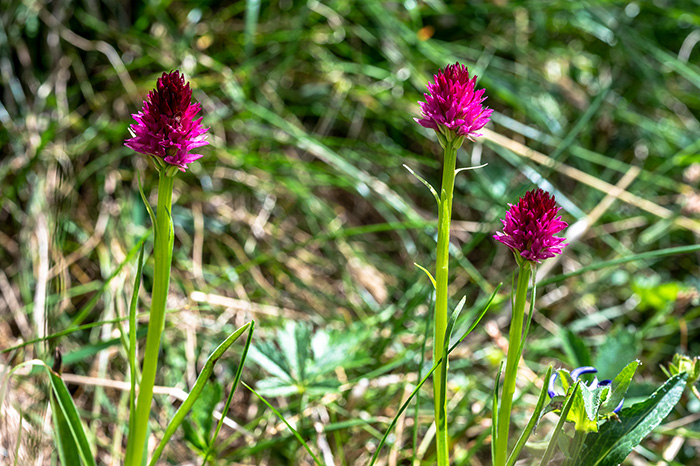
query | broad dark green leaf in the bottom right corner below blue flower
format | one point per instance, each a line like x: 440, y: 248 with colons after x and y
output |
x: 615, y: 440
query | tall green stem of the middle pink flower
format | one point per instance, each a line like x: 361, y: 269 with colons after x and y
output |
x: 441, y: 282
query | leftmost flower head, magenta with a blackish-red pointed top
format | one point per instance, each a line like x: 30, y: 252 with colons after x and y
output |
x: 166, y: 126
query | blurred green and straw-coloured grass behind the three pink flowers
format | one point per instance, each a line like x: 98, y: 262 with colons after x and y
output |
x: 301, y: 216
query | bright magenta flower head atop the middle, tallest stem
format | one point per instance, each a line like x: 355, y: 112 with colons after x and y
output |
x: 452, y: 103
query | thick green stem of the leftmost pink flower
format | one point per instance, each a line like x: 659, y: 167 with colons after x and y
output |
x: 163, y: 253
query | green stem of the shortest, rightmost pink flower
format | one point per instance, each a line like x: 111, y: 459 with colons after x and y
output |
x: 512, y: 360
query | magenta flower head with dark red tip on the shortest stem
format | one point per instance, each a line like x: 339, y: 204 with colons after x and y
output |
x: 530, y: 226
